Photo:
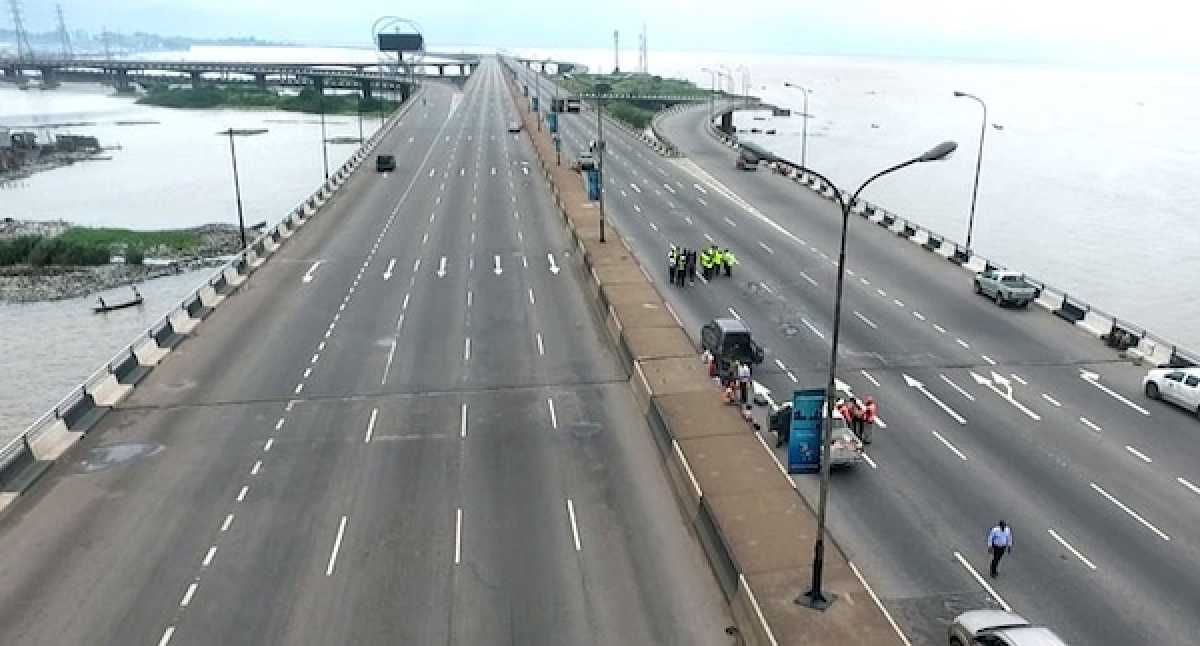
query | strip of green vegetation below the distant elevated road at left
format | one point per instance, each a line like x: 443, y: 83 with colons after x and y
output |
x: 218, y: 97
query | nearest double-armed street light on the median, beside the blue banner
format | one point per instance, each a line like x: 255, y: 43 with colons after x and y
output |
x: 815, y: 599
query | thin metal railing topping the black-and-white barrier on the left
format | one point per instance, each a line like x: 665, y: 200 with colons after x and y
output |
x: 241, y: 265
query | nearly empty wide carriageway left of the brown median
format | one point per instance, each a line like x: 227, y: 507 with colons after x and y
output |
x: 315, y: 486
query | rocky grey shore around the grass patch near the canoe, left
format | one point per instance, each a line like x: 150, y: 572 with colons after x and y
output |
x: 27, y: 284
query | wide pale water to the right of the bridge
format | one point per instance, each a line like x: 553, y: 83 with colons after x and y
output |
x: 1089, y: 186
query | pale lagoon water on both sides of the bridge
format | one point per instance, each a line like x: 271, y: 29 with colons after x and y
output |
x: 1088, y: 187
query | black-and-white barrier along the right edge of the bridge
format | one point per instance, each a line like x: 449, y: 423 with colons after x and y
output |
x: 1053, y: 298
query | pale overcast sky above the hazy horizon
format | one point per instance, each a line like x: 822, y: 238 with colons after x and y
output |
x: 1073, y: 31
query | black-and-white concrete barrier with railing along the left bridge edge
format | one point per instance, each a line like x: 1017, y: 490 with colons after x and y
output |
x: 85, y: 405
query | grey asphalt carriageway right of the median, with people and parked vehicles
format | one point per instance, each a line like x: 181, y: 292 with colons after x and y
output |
x: 1100, y: 483
